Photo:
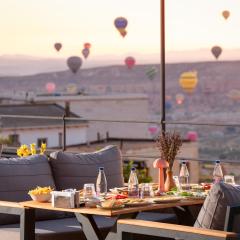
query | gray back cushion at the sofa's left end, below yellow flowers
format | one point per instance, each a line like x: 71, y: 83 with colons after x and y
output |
x: 18, y: 176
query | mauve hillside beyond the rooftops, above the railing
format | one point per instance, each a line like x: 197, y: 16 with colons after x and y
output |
x: 216, y: 79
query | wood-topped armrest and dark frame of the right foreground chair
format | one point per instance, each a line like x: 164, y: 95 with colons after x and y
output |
x: 127, y: 227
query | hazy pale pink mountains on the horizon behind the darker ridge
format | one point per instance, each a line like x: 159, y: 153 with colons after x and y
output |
x: 20, y: 65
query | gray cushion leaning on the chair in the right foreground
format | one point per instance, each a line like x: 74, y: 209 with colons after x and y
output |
x: 213, y: 212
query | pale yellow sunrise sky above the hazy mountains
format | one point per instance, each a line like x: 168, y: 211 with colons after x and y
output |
x: 31, y: 27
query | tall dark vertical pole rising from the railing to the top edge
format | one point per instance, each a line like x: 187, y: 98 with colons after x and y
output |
x: 162, y: 16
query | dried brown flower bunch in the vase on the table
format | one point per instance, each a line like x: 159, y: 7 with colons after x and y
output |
x: 169, y: 144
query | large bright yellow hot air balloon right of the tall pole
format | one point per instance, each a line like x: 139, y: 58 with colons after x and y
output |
x: 188, y: 81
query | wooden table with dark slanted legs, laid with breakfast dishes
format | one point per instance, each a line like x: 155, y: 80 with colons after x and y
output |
x: 89, y: 226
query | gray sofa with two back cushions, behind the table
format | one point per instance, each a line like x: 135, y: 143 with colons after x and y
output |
x: 62, y: 170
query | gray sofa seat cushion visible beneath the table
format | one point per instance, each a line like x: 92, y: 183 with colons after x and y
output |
x: 60, y: 229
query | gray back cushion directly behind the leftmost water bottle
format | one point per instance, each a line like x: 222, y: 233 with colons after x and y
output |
x: 72, y: 170
